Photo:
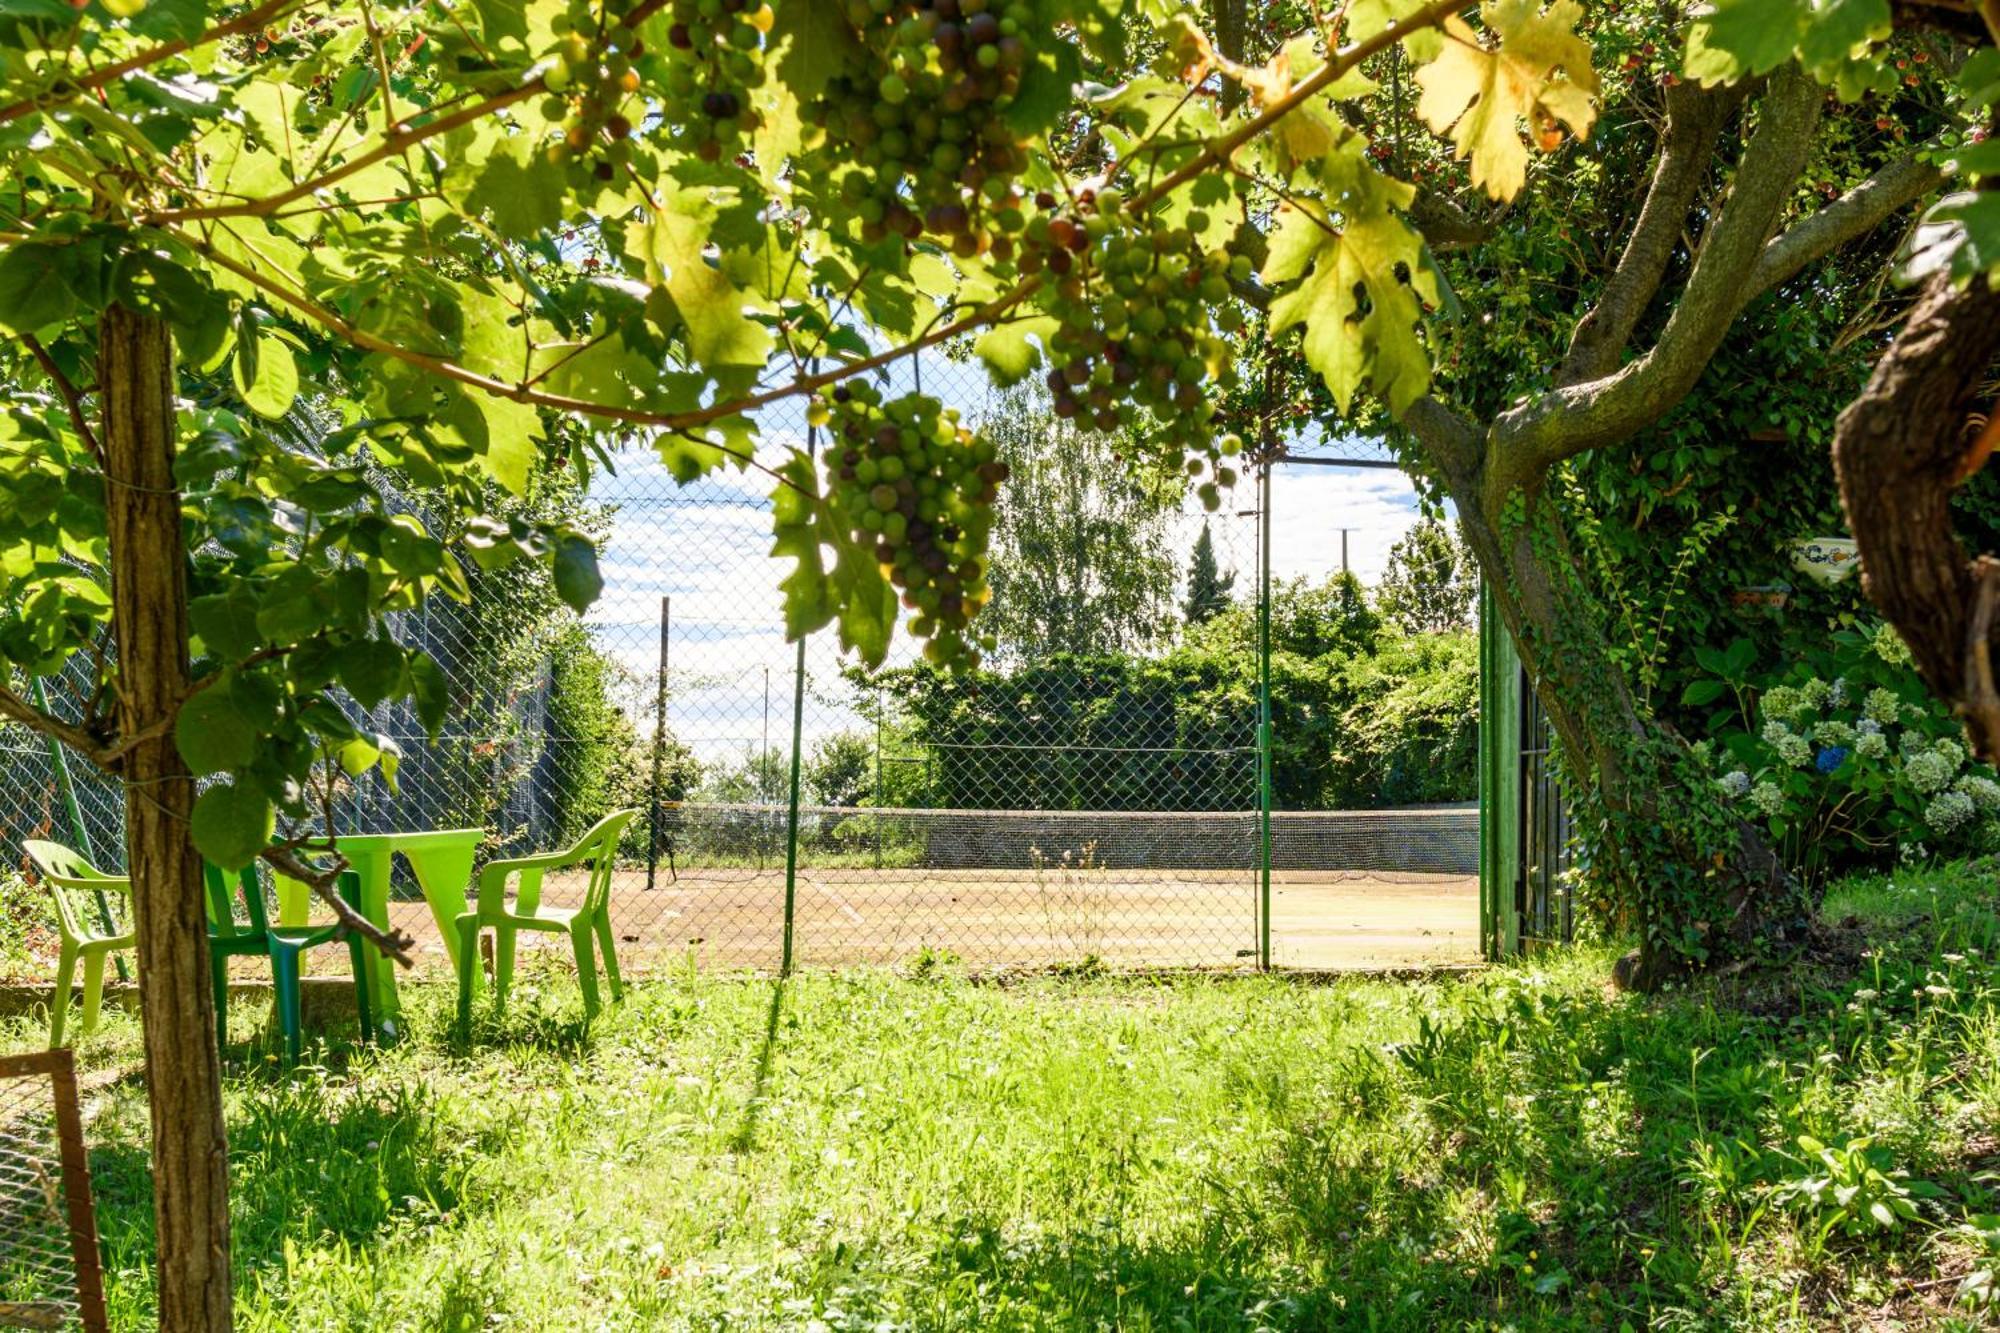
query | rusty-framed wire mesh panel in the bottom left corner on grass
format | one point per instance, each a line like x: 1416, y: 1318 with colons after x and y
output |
x: 49, y: 1252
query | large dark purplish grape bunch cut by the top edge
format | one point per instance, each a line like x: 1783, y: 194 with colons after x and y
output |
x: 919, y: 129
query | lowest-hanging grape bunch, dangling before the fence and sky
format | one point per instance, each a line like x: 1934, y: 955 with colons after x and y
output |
x: 917, y: 487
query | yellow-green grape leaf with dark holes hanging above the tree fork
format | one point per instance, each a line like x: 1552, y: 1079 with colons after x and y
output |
x: 1361, y: 283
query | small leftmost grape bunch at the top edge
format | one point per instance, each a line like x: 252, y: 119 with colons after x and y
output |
x: 593, y: 89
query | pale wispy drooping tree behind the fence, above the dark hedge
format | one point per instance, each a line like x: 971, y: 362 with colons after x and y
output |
x: 1081, y: 557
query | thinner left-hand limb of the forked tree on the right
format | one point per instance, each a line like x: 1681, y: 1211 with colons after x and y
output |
x: 1687, y: 153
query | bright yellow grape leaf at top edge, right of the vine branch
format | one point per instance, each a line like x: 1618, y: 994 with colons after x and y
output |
x: 1485, y: 99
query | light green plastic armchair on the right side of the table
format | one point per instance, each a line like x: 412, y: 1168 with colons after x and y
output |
x: 527, y: 914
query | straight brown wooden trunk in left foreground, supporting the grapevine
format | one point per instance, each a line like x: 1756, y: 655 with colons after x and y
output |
x: 151, y: 623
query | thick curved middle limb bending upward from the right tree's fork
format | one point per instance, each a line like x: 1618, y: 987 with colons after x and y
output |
x: 1579, y: 417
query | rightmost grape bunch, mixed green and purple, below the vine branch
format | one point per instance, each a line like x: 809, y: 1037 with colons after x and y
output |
x: 1145, y: 321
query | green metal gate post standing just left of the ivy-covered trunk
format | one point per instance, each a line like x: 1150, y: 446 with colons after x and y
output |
x: 1499, y: 784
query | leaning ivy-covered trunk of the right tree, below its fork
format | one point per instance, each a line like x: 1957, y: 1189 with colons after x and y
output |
x: 1701, y: 884
